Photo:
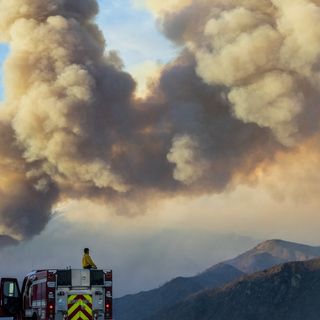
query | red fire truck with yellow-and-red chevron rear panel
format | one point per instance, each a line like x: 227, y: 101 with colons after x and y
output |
x: 69, y: 294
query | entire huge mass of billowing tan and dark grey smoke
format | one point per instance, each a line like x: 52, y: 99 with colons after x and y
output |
x: 244, y: 87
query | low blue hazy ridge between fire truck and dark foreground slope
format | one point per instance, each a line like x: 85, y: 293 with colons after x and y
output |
x: 144, y: 304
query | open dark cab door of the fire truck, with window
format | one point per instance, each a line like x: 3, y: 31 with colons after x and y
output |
x: 10, y: 298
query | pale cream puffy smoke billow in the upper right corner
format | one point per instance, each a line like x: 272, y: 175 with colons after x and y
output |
x: 266, y: 53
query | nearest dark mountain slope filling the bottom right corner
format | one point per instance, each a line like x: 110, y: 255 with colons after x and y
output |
x: 289, y: 291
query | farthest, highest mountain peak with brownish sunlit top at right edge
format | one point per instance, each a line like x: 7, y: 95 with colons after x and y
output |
x: 273, y: 252
